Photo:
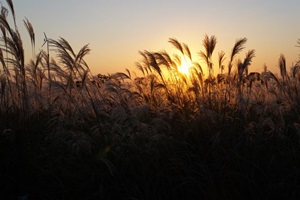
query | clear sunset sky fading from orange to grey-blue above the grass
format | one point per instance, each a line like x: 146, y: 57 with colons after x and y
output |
x: 117, y: 29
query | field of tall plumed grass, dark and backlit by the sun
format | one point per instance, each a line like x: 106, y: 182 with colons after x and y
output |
x: 66, y: 134
